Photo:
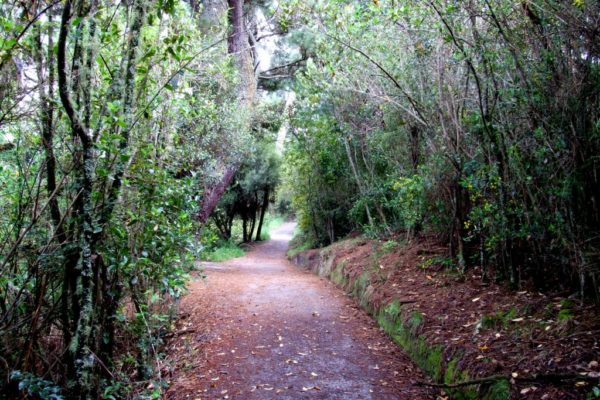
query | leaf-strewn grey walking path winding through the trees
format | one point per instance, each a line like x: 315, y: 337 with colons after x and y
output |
x: 261, y: 328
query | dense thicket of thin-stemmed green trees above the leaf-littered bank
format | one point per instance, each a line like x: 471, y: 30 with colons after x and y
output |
x: 462, y: 135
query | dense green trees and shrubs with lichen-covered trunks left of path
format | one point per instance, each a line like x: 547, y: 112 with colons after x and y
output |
x: 99, y: 235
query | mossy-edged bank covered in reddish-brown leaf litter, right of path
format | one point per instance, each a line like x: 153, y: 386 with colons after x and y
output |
x: 545, y: 344
